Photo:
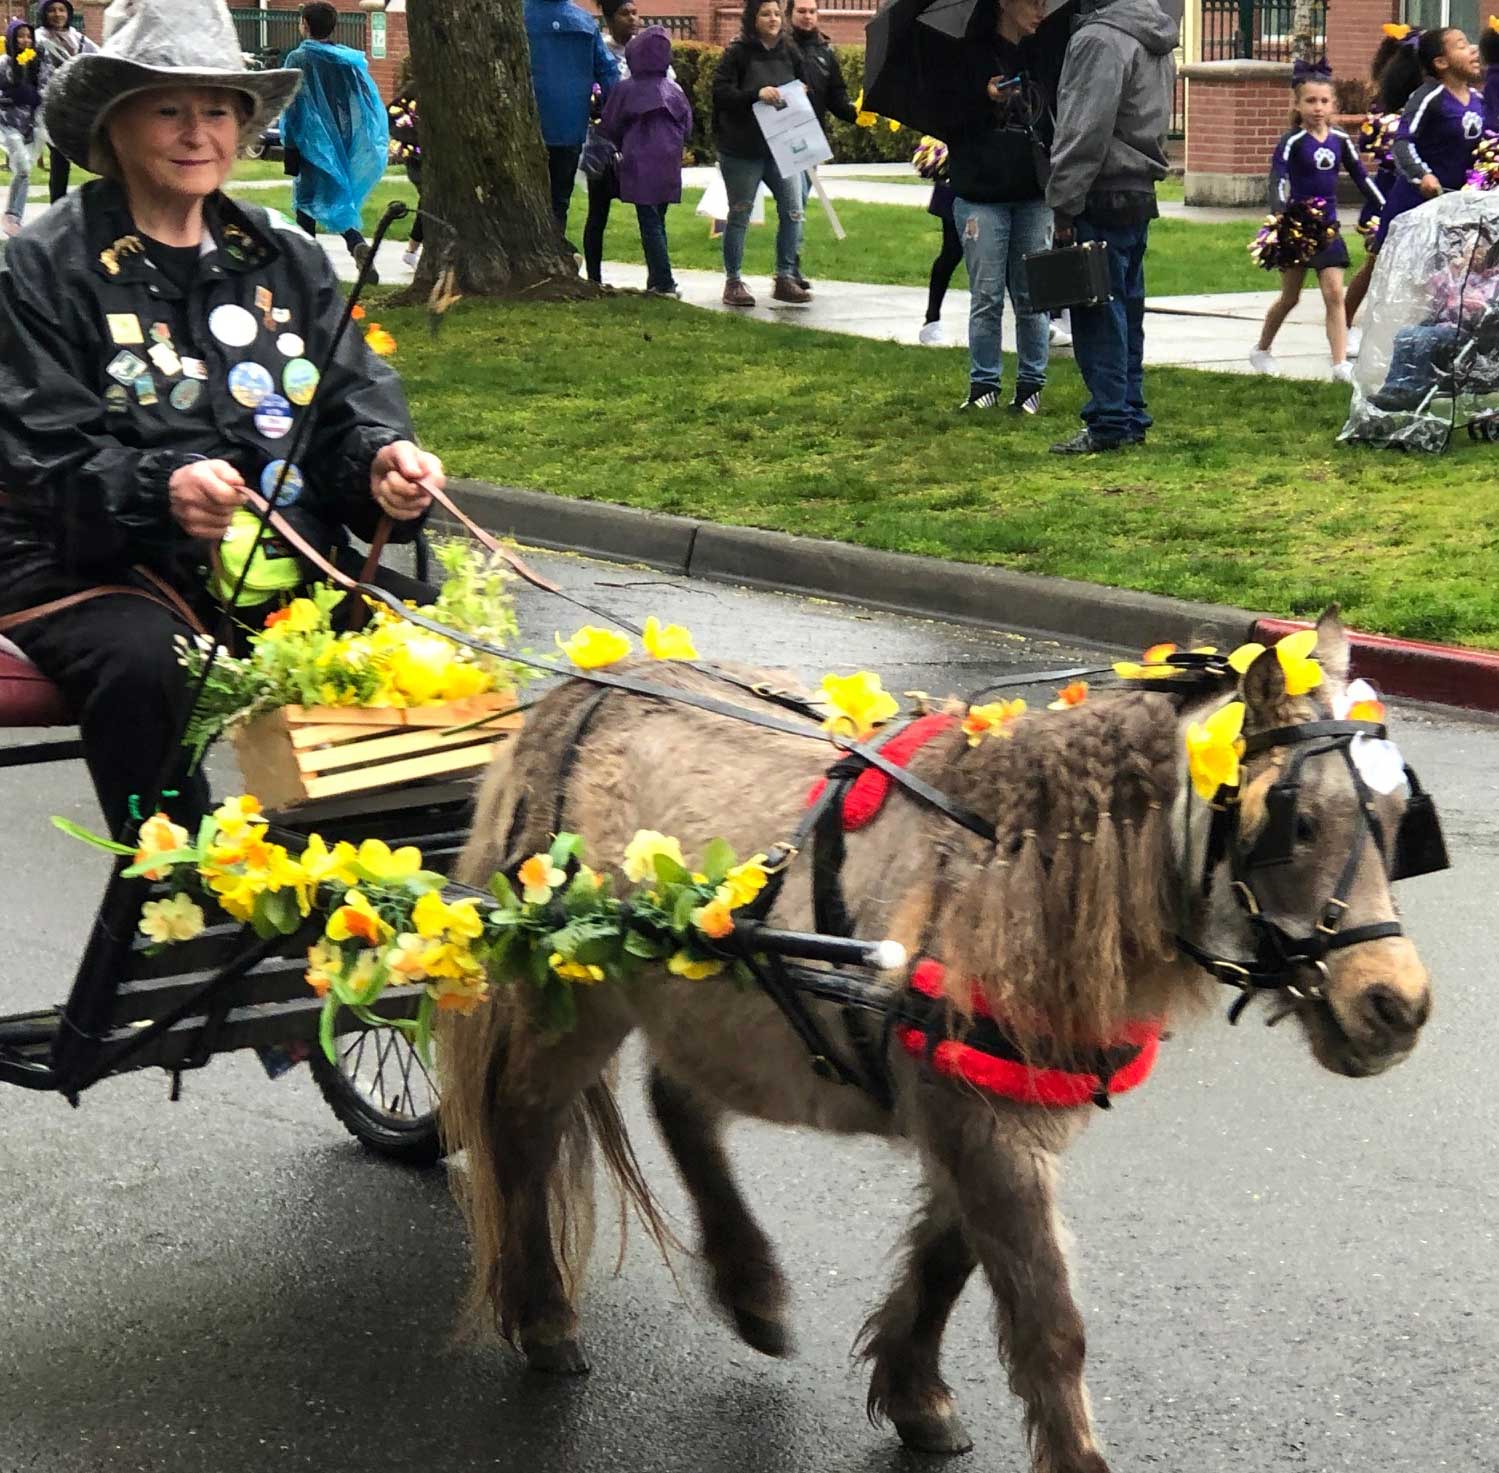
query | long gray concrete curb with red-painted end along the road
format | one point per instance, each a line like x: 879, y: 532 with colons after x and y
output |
x: 932, y: 588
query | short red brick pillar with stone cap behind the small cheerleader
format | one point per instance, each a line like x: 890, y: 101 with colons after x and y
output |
x: 1236, y: 112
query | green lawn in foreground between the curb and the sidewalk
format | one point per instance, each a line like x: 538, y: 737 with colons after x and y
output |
x: 1240, y: 497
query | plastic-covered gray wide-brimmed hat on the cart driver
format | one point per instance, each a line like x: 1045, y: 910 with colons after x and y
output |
x: 152, y: 44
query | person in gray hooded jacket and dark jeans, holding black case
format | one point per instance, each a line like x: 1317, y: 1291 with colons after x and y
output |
x: 1109, y: 152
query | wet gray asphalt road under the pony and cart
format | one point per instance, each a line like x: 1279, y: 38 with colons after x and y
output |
x: 1281, y: 1270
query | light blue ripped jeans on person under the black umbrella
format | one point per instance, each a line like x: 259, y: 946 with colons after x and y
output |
x: 996, y: 239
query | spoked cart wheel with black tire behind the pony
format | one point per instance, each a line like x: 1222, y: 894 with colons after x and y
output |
x: 383, y: 1093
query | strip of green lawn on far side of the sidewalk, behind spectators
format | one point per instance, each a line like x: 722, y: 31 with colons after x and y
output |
x: 888, y: 245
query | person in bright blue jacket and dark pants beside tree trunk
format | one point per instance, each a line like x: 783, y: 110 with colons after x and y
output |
x: 569, y: 59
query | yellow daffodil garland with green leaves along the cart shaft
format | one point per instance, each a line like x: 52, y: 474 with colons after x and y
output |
x: 386, y: 919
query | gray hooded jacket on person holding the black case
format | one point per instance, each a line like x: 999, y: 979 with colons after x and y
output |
x: 1115, y: 113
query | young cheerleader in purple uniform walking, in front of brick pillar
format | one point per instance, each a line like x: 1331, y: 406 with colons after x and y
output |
x: 1305, y: 167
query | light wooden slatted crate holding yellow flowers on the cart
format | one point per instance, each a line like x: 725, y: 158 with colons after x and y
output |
x: 295, y: 754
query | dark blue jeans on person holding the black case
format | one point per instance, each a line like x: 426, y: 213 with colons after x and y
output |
x: 1110, y: 342
